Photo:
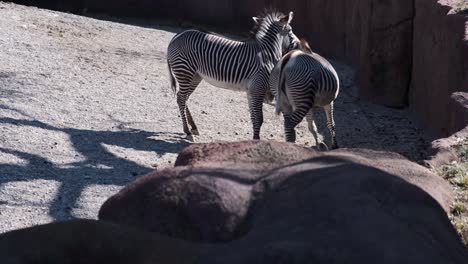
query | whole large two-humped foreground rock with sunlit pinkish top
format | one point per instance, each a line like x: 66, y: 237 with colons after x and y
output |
x: 345, y: 206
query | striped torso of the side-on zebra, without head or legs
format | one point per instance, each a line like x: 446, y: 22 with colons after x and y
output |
x: 220, y: 61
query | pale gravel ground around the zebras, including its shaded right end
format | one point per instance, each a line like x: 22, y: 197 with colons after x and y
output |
x: 86, y: 107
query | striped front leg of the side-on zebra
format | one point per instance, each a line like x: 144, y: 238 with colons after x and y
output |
x: 255, y: 95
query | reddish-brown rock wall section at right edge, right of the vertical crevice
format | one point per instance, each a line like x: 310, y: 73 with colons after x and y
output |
x: 440, y: 66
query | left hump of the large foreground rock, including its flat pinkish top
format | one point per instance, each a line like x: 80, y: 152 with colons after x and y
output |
x: 207, y: 195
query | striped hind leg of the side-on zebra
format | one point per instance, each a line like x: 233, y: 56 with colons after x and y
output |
x: 186, y: 88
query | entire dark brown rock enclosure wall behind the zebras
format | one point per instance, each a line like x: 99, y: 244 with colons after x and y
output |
x: 388, y: 42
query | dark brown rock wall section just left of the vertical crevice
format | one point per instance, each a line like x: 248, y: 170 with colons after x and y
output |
x: 384, y: 65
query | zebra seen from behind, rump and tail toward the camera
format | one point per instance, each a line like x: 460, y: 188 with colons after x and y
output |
x: 301, y: 81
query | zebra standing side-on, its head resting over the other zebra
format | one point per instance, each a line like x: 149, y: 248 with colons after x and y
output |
x: 246, y: 65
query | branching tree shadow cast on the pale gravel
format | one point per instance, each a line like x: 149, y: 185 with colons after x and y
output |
x: 96, y: 166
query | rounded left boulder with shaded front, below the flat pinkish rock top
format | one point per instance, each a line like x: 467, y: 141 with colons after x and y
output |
x: 195, y: 204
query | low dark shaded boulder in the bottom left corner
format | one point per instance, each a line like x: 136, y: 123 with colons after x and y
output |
x: 90, y: 241
